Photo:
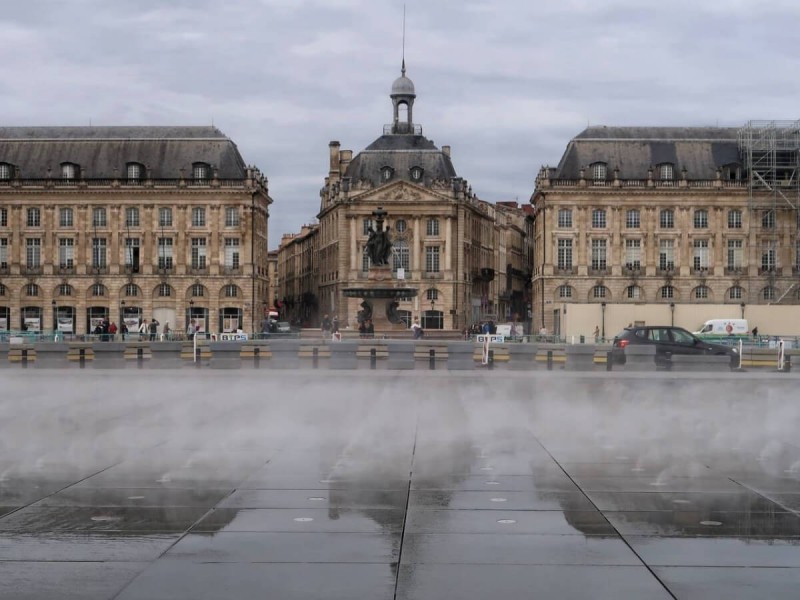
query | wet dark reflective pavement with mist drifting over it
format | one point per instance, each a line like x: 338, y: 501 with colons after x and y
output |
x: 199, y: 484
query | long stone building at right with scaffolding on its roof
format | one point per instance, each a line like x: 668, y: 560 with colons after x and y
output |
x: 668, y: 224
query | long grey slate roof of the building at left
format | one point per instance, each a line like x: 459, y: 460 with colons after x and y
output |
x: 100, y: 150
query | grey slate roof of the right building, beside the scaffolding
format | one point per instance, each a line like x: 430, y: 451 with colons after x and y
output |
x: 700, y: 150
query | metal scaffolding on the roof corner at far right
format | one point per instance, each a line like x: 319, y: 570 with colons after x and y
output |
x: 771, y: 153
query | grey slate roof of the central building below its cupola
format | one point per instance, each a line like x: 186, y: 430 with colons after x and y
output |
x: 401, y: 152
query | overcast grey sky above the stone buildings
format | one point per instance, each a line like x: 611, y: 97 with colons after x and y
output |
x: 505, y: 83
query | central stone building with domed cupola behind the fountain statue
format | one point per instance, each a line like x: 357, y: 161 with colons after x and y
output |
x: 444, y: 237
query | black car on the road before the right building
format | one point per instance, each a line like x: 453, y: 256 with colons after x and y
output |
x: 668, y: 340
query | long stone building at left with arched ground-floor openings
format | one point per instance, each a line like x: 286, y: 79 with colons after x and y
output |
x: 129, y: 223
